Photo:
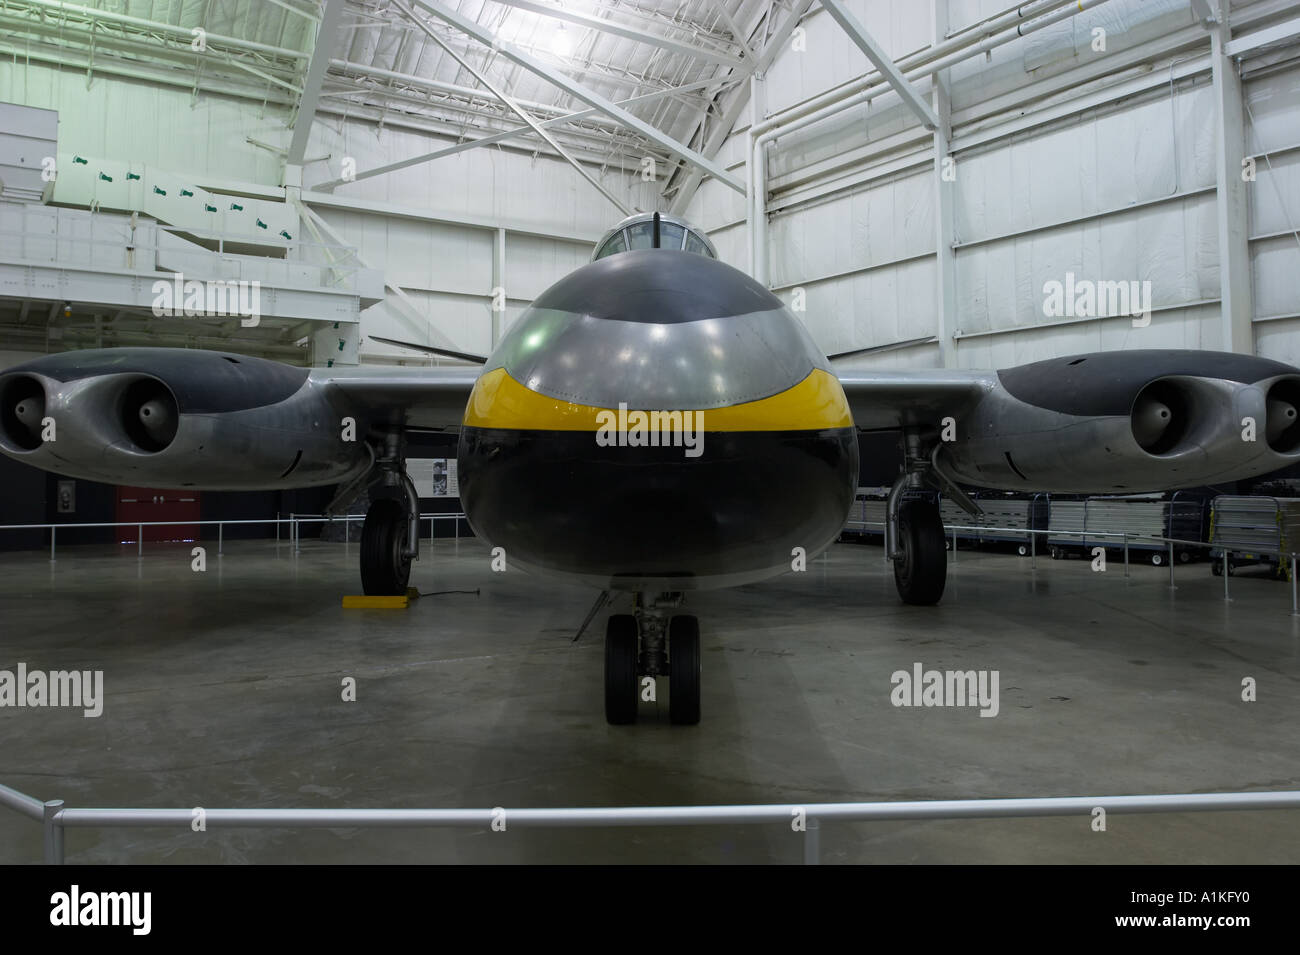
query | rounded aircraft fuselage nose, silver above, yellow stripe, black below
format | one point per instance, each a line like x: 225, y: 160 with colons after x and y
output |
x: 657, y: 420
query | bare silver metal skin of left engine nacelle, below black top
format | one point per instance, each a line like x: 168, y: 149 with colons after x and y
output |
x: 292, y: 444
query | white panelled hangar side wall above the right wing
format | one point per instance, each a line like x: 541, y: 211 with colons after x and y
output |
x: 1067, y: 160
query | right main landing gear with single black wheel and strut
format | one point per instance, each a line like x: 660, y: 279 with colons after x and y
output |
x: 915, y: 531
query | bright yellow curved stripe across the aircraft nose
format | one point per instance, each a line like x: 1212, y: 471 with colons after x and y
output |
x: 814, y: 405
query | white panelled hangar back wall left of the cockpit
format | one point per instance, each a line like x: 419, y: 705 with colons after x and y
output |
x: 447, y: 232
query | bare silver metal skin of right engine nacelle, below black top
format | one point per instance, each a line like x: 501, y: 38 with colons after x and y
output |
x: 1009, y: 445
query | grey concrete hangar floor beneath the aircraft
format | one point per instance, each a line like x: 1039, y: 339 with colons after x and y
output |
x: 223, y: 689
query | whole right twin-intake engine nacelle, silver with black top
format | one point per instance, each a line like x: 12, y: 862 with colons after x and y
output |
x: 1130, y: 422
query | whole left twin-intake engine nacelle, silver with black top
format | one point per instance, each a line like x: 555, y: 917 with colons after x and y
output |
x: 168, y: 418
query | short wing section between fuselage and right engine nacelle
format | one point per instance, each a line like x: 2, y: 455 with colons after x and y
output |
x: 889, y: 401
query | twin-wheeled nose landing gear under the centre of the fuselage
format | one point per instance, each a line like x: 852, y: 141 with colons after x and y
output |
x: 648, y: 644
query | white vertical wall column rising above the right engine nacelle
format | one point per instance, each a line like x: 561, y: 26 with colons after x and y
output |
x: 1236, y: 293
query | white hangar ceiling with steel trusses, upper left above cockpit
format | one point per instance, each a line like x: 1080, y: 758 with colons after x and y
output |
x: 604, y: 84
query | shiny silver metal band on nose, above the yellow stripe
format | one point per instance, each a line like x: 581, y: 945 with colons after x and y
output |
x: 713, y: 363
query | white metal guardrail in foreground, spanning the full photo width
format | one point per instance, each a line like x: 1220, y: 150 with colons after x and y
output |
x: 55, y: 818
